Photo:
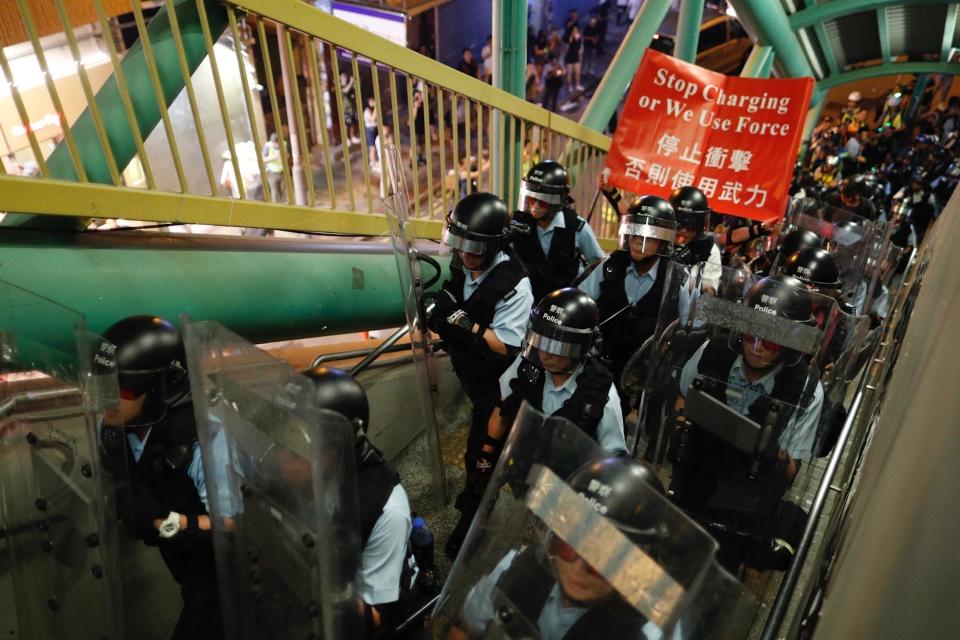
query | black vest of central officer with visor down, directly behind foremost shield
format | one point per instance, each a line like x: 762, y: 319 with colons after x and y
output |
x: 584, y: 408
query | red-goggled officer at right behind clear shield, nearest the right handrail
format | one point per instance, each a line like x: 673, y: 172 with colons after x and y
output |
x: 776, y: 388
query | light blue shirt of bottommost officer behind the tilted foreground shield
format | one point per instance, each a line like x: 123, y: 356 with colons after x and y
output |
x: 555, y: 619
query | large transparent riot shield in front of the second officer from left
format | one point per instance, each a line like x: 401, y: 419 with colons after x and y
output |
x: 281, y: 486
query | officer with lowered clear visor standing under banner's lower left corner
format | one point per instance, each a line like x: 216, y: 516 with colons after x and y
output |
x: 628, y: 285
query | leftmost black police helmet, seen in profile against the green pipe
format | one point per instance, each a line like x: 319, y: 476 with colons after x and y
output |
x: 149, y: 357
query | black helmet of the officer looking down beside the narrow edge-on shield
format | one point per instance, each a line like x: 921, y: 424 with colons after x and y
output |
x: 479, y: 224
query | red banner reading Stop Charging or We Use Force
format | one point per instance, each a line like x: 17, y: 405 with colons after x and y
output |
x: 736, y: 139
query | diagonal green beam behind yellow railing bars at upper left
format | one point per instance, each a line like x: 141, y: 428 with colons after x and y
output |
x: 145, y: 103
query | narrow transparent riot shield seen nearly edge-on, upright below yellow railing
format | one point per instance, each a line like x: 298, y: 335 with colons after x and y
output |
x: 397, y: 204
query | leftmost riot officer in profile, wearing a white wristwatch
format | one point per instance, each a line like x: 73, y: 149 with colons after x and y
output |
x: 149, y: 441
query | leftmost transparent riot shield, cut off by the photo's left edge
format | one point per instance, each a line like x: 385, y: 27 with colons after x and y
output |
x: 58, y: 564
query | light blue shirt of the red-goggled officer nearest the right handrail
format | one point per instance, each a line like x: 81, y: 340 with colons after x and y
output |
x: 797, y: 438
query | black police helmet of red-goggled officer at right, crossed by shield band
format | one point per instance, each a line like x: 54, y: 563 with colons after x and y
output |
x: 782, y: 297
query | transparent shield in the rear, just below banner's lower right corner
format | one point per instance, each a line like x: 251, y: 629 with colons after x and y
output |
x: 847, y: 236
